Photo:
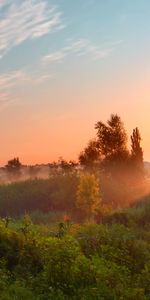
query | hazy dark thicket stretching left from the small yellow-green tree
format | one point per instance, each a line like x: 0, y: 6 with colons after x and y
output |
x: 55, y: 194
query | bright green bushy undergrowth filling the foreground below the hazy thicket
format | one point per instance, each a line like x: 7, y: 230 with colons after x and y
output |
x: 110, y: 260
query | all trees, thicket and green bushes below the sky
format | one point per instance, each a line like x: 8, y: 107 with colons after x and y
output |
x: 83, y: 233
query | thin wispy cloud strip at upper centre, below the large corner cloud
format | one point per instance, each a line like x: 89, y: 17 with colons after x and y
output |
x: 80, y: 47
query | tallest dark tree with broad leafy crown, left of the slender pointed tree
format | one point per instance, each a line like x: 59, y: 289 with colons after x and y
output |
x: 112, y: 140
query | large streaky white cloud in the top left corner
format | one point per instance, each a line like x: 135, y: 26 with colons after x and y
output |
x: 23, y: 20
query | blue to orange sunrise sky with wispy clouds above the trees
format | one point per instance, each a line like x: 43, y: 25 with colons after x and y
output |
x: 66, y: 64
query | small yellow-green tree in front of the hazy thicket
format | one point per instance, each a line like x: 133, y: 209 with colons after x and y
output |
x: 88, y: 195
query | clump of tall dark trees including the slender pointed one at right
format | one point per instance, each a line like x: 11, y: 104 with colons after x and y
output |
x: 109, y: 150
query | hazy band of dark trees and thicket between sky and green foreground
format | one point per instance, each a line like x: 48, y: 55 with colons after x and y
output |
x: 110, y: 176
